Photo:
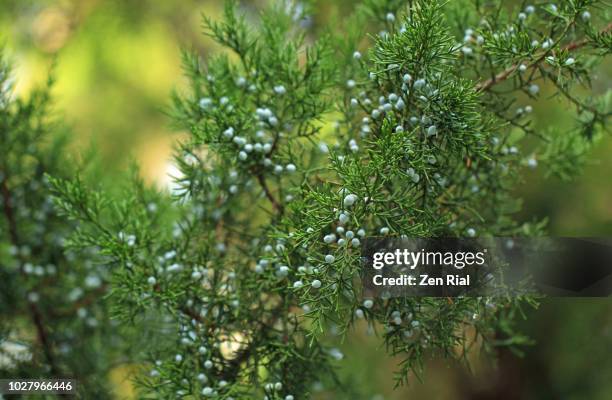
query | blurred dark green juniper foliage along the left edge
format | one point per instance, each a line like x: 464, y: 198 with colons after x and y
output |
x: 54, y: 321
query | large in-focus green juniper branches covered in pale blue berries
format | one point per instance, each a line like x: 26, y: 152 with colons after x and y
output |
x: 253, y: 262
